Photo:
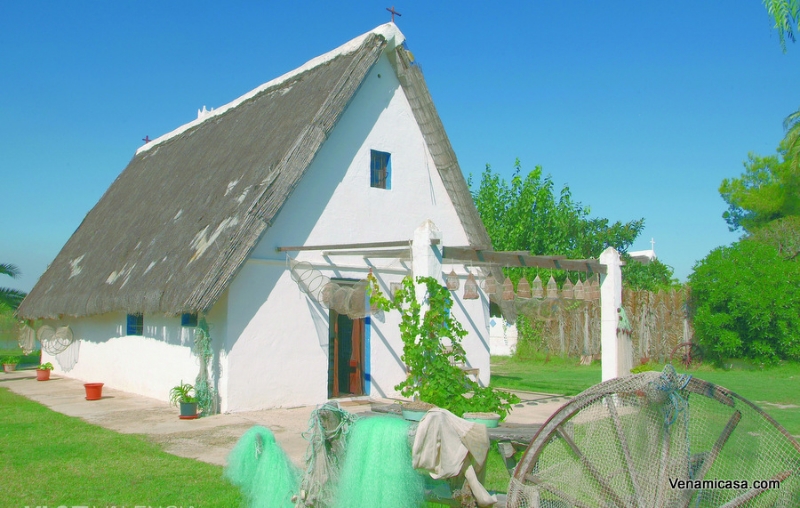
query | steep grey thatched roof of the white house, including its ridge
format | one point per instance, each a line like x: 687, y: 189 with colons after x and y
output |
x: 174, y: 228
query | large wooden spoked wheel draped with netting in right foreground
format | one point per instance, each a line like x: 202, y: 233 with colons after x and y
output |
x: 658, y: 440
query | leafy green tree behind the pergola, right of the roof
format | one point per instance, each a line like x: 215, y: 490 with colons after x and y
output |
x: 525, y: 214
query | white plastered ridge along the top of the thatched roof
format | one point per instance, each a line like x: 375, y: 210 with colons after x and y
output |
x: 389, y: 31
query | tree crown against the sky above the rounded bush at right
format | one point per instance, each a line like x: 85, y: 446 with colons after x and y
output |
x: 768, y: 190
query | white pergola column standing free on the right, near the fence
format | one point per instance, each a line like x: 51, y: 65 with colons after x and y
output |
x: 617, y: 351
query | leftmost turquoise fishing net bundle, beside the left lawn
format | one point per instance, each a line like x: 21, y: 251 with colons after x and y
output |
x: 261, y: 469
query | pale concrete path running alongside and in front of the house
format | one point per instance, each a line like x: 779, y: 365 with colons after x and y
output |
x: 208, y: 439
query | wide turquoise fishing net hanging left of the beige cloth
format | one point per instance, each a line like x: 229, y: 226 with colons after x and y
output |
x: 377, y: 470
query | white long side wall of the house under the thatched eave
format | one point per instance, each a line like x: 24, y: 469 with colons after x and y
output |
x: 148, y: 365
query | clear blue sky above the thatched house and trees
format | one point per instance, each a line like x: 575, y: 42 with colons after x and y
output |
x: 642, y: 108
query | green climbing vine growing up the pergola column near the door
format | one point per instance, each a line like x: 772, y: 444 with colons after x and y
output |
x: 432, y: 351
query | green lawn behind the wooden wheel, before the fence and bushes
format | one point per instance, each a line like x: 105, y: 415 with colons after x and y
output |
x: 772, y: 389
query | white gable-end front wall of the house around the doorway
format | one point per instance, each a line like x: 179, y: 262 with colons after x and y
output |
x: 277, y: 342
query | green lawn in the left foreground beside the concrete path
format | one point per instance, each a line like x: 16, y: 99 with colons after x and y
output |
x: 49, y: 459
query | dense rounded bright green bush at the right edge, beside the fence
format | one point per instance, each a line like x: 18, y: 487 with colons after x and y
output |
x: 746, y: 302
